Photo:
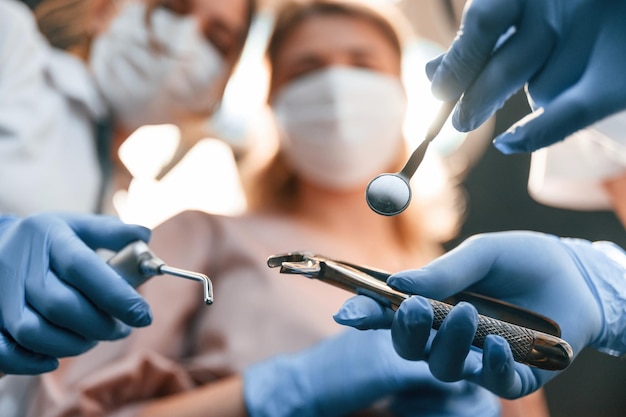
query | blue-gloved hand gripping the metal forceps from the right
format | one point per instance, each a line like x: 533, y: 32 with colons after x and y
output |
x: 574, y: 282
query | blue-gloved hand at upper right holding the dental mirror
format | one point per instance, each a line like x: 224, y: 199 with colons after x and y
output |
x: 569, y: 53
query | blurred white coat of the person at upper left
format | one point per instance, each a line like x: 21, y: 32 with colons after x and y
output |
x: 48, y: 106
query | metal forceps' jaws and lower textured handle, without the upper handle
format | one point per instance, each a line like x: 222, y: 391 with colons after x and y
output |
x: 528, y: 346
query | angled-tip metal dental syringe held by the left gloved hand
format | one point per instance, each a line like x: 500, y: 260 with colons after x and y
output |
x: 136, y: 263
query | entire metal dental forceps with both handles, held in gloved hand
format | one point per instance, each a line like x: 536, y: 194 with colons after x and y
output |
x: 533, y: 338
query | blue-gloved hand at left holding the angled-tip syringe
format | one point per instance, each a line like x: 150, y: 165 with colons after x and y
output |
x: 57, y: 297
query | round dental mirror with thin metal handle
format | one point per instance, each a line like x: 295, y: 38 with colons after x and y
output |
x: 390, y: 194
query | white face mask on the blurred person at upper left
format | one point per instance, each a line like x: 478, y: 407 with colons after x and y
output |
x: 158, y: 74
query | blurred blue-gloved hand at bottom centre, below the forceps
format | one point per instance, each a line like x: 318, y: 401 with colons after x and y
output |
x: 351, y: 371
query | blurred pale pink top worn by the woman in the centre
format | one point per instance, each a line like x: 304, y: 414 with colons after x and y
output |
x: 257, y: 313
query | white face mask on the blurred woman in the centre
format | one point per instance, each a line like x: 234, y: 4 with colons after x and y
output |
x: 341, y: 126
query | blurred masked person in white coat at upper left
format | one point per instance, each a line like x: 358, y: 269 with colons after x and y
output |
x: 80, y: 76
